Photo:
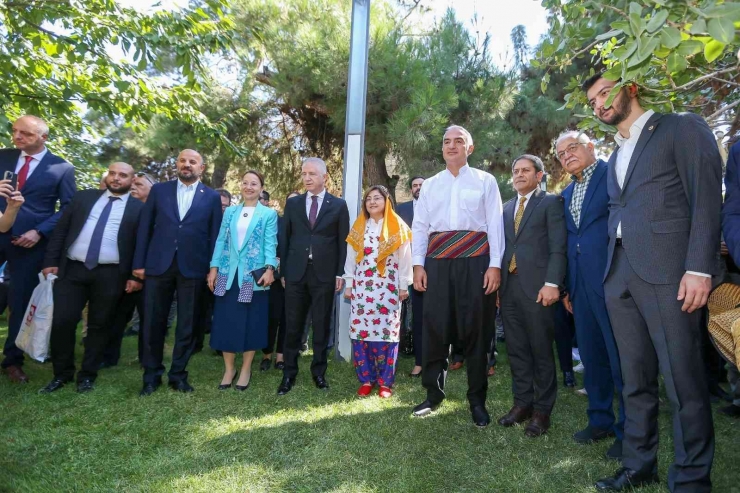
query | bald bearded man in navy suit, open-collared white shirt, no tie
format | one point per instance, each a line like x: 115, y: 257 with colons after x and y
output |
x: 176, y: 237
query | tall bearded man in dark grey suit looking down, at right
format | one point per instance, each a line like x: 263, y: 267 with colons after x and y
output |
x: 665, y: 194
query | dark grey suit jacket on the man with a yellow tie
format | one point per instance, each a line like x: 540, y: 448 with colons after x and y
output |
x: 540, y: 244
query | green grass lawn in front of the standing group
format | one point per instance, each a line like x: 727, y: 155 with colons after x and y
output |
x: 223, y: 441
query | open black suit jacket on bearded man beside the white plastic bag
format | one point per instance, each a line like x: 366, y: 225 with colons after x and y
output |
x: 72, y: 221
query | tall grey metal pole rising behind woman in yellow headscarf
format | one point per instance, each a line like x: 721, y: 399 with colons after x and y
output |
x: 354, y: 144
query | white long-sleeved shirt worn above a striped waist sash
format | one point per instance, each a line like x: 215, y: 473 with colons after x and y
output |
x: 469, y: 201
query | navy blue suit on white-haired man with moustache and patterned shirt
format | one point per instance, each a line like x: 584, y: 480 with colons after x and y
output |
x: 587, y: 252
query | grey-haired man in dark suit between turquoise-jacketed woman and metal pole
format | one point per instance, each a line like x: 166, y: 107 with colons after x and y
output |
x: 312, y: 252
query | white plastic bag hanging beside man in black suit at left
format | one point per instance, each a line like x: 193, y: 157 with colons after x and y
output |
x: 33, y: 337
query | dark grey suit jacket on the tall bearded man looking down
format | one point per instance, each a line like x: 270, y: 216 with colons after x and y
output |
x: 670, y: 203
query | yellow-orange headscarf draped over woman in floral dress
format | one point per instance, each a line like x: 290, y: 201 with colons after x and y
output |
x: 393, y: 234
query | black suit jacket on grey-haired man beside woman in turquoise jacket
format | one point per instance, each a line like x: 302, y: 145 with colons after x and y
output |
x: 327, y: 240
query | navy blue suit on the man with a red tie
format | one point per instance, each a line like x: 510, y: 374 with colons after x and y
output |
x: 52, y: 180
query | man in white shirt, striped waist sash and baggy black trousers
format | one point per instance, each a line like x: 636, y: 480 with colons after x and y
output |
x: 458, y: 242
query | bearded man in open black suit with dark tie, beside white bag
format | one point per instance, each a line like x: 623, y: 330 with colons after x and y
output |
x: 91, y: 250
